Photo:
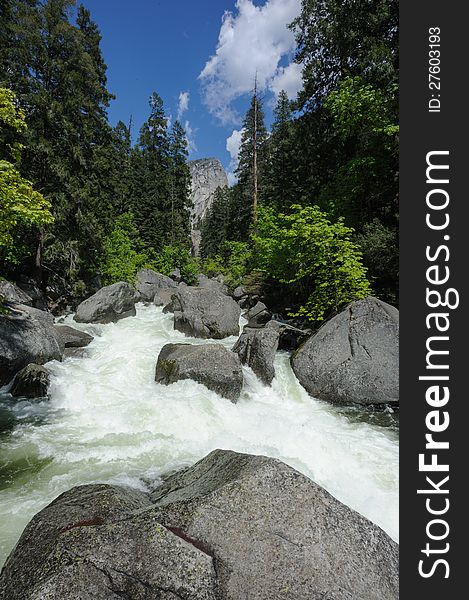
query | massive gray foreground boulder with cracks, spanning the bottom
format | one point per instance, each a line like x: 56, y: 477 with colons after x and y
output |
x: 232, y: 526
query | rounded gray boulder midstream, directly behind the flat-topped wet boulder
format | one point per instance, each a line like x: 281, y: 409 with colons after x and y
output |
x: 204, y: 313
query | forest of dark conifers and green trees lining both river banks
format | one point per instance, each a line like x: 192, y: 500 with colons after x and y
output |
x: 313, y: 219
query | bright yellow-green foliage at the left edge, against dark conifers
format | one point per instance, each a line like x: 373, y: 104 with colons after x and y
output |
x: 20, y: 204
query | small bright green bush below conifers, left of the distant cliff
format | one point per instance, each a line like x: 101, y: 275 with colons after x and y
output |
x: 121, y: 259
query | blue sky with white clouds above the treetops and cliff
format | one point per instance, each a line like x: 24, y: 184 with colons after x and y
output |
x: 201, y: 57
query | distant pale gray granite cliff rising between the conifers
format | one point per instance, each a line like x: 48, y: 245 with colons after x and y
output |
x: 207, y: 175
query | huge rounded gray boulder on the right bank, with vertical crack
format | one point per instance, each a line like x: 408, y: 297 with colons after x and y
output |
x: 354, y: 357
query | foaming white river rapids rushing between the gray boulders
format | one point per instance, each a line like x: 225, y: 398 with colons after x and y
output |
x: 108, y: 421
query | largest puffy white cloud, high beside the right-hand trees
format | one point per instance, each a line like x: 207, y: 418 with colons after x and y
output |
x: 253, y: 40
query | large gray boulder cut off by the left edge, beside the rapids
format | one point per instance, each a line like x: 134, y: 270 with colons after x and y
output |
x: 27, y: 335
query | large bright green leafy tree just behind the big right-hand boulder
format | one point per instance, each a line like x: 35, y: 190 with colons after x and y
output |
x: 305, y: 250
